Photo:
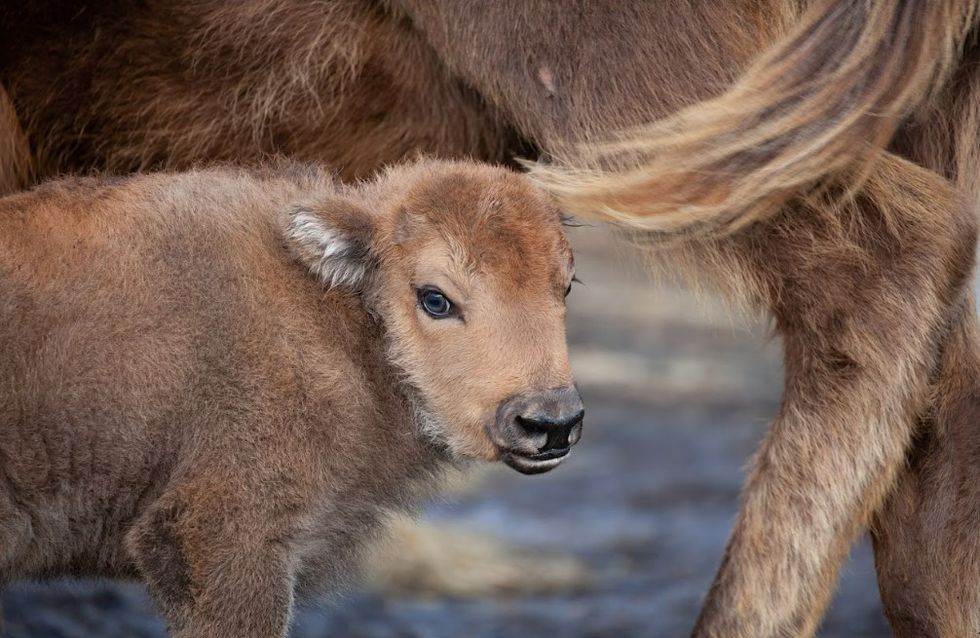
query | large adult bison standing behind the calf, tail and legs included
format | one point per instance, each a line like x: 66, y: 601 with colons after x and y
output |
x: 831, y: 184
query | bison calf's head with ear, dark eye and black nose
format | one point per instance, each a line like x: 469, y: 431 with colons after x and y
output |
x: 468, y: 268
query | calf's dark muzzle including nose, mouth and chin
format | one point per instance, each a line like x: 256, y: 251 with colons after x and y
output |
x: 535, y: 430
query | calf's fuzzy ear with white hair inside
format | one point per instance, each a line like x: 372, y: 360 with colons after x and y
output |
x: 333, y: 238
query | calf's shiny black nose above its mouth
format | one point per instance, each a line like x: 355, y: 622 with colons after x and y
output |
x: 547, y: 423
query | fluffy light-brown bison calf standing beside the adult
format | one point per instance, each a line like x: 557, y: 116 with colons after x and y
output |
x: 220, y: 381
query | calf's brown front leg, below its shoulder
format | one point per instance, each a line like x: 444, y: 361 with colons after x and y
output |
x: 211, y: 567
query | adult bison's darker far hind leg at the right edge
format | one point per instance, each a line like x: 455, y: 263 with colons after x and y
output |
x: 927, y: 535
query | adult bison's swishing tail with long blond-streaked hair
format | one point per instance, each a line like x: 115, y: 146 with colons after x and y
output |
x: 816, y: 108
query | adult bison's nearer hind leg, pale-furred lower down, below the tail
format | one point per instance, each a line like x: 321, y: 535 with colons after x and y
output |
x: 859, y: 290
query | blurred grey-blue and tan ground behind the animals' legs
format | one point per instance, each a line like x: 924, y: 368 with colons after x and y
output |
x: 621, y: 540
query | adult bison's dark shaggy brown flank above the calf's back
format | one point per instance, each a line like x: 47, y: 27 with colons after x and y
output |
x: 339, y: 82
